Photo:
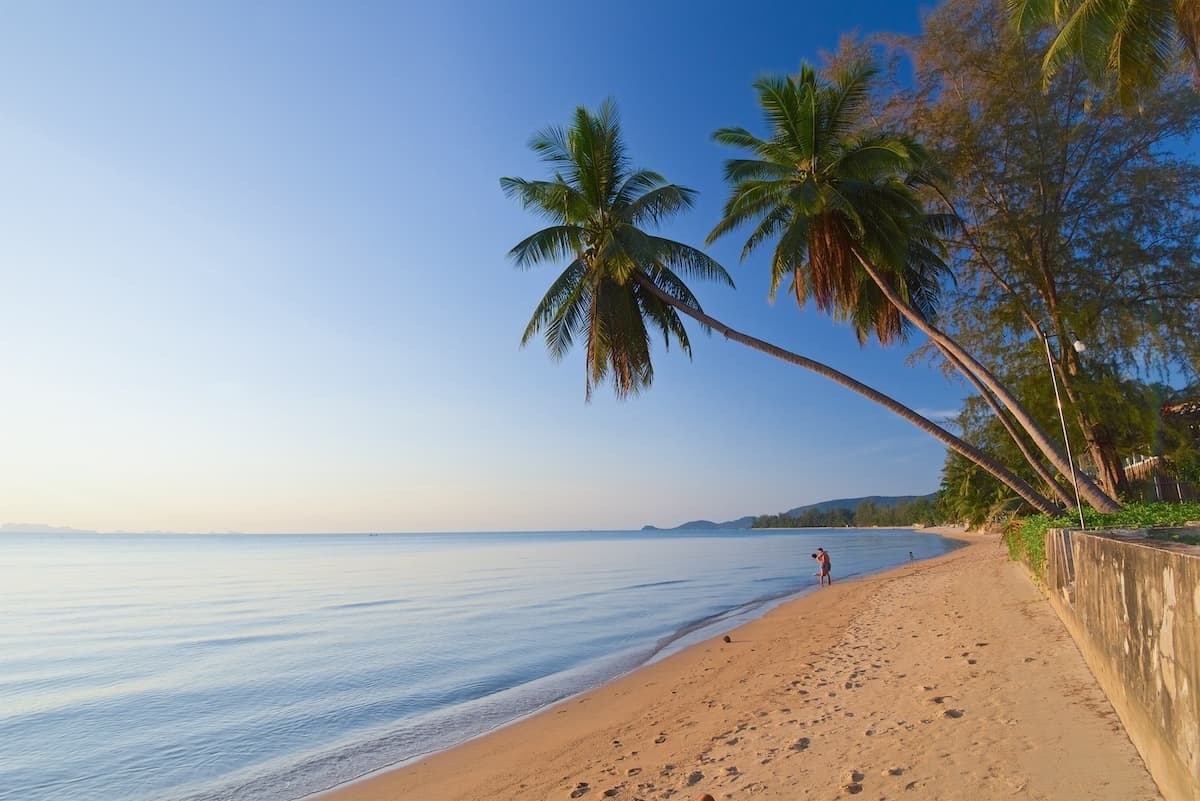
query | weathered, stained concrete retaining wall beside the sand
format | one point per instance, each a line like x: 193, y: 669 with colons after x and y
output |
x: 1133, y: 607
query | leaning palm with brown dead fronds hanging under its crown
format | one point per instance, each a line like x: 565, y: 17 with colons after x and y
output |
x: 849, y: 226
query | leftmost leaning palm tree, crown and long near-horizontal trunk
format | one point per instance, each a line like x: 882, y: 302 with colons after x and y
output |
x: 622, y: 282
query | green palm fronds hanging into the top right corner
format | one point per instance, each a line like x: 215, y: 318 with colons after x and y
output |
x: 1136, y: 41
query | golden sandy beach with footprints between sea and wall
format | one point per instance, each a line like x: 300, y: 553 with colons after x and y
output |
x: 945, y: 679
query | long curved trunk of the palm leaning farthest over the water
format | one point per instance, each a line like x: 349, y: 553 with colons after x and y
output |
x: 979, y: 457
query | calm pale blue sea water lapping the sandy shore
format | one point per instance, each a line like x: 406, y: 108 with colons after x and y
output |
x: 268, y: 668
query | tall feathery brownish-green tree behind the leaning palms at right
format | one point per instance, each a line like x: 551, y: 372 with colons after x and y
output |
x: 1078, y: 218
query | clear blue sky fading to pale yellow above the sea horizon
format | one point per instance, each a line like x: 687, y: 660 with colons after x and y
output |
x: 254, y: 274
